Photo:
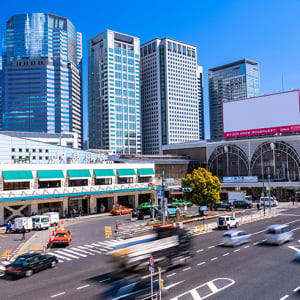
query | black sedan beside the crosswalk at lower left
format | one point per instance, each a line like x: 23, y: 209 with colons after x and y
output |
x: 29, y: 263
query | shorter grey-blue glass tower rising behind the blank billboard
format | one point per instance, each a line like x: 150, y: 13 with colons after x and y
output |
x: 233, y: 81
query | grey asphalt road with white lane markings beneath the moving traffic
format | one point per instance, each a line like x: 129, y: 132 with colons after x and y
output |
x: 252, y: 271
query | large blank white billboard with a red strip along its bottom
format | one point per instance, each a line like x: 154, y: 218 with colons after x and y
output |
x: 270, y: 114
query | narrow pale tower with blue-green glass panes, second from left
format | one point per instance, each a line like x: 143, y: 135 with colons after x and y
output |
x: 114, y: 106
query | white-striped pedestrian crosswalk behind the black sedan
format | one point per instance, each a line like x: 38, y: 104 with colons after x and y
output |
x: 78, y: 252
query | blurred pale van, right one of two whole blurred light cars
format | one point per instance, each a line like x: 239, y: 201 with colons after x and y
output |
x: 278, y: 234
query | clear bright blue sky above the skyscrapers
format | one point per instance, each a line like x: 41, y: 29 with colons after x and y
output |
x: 223, y: 31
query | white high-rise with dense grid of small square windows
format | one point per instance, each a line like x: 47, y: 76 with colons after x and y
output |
x: 171, y: 94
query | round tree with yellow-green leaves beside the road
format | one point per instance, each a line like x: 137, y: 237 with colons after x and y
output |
x: 205, y: 187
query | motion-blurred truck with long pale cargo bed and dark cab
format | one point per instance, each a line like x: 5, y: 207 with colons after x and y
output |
x: 168, y: 246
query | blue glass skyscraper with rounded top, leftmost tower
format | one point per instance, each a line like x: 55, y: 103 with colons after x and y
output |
x: 42, y: 75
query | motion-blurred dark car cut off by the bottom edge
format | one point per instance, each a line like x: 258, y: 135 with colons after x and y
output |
x: 130, y: 289
